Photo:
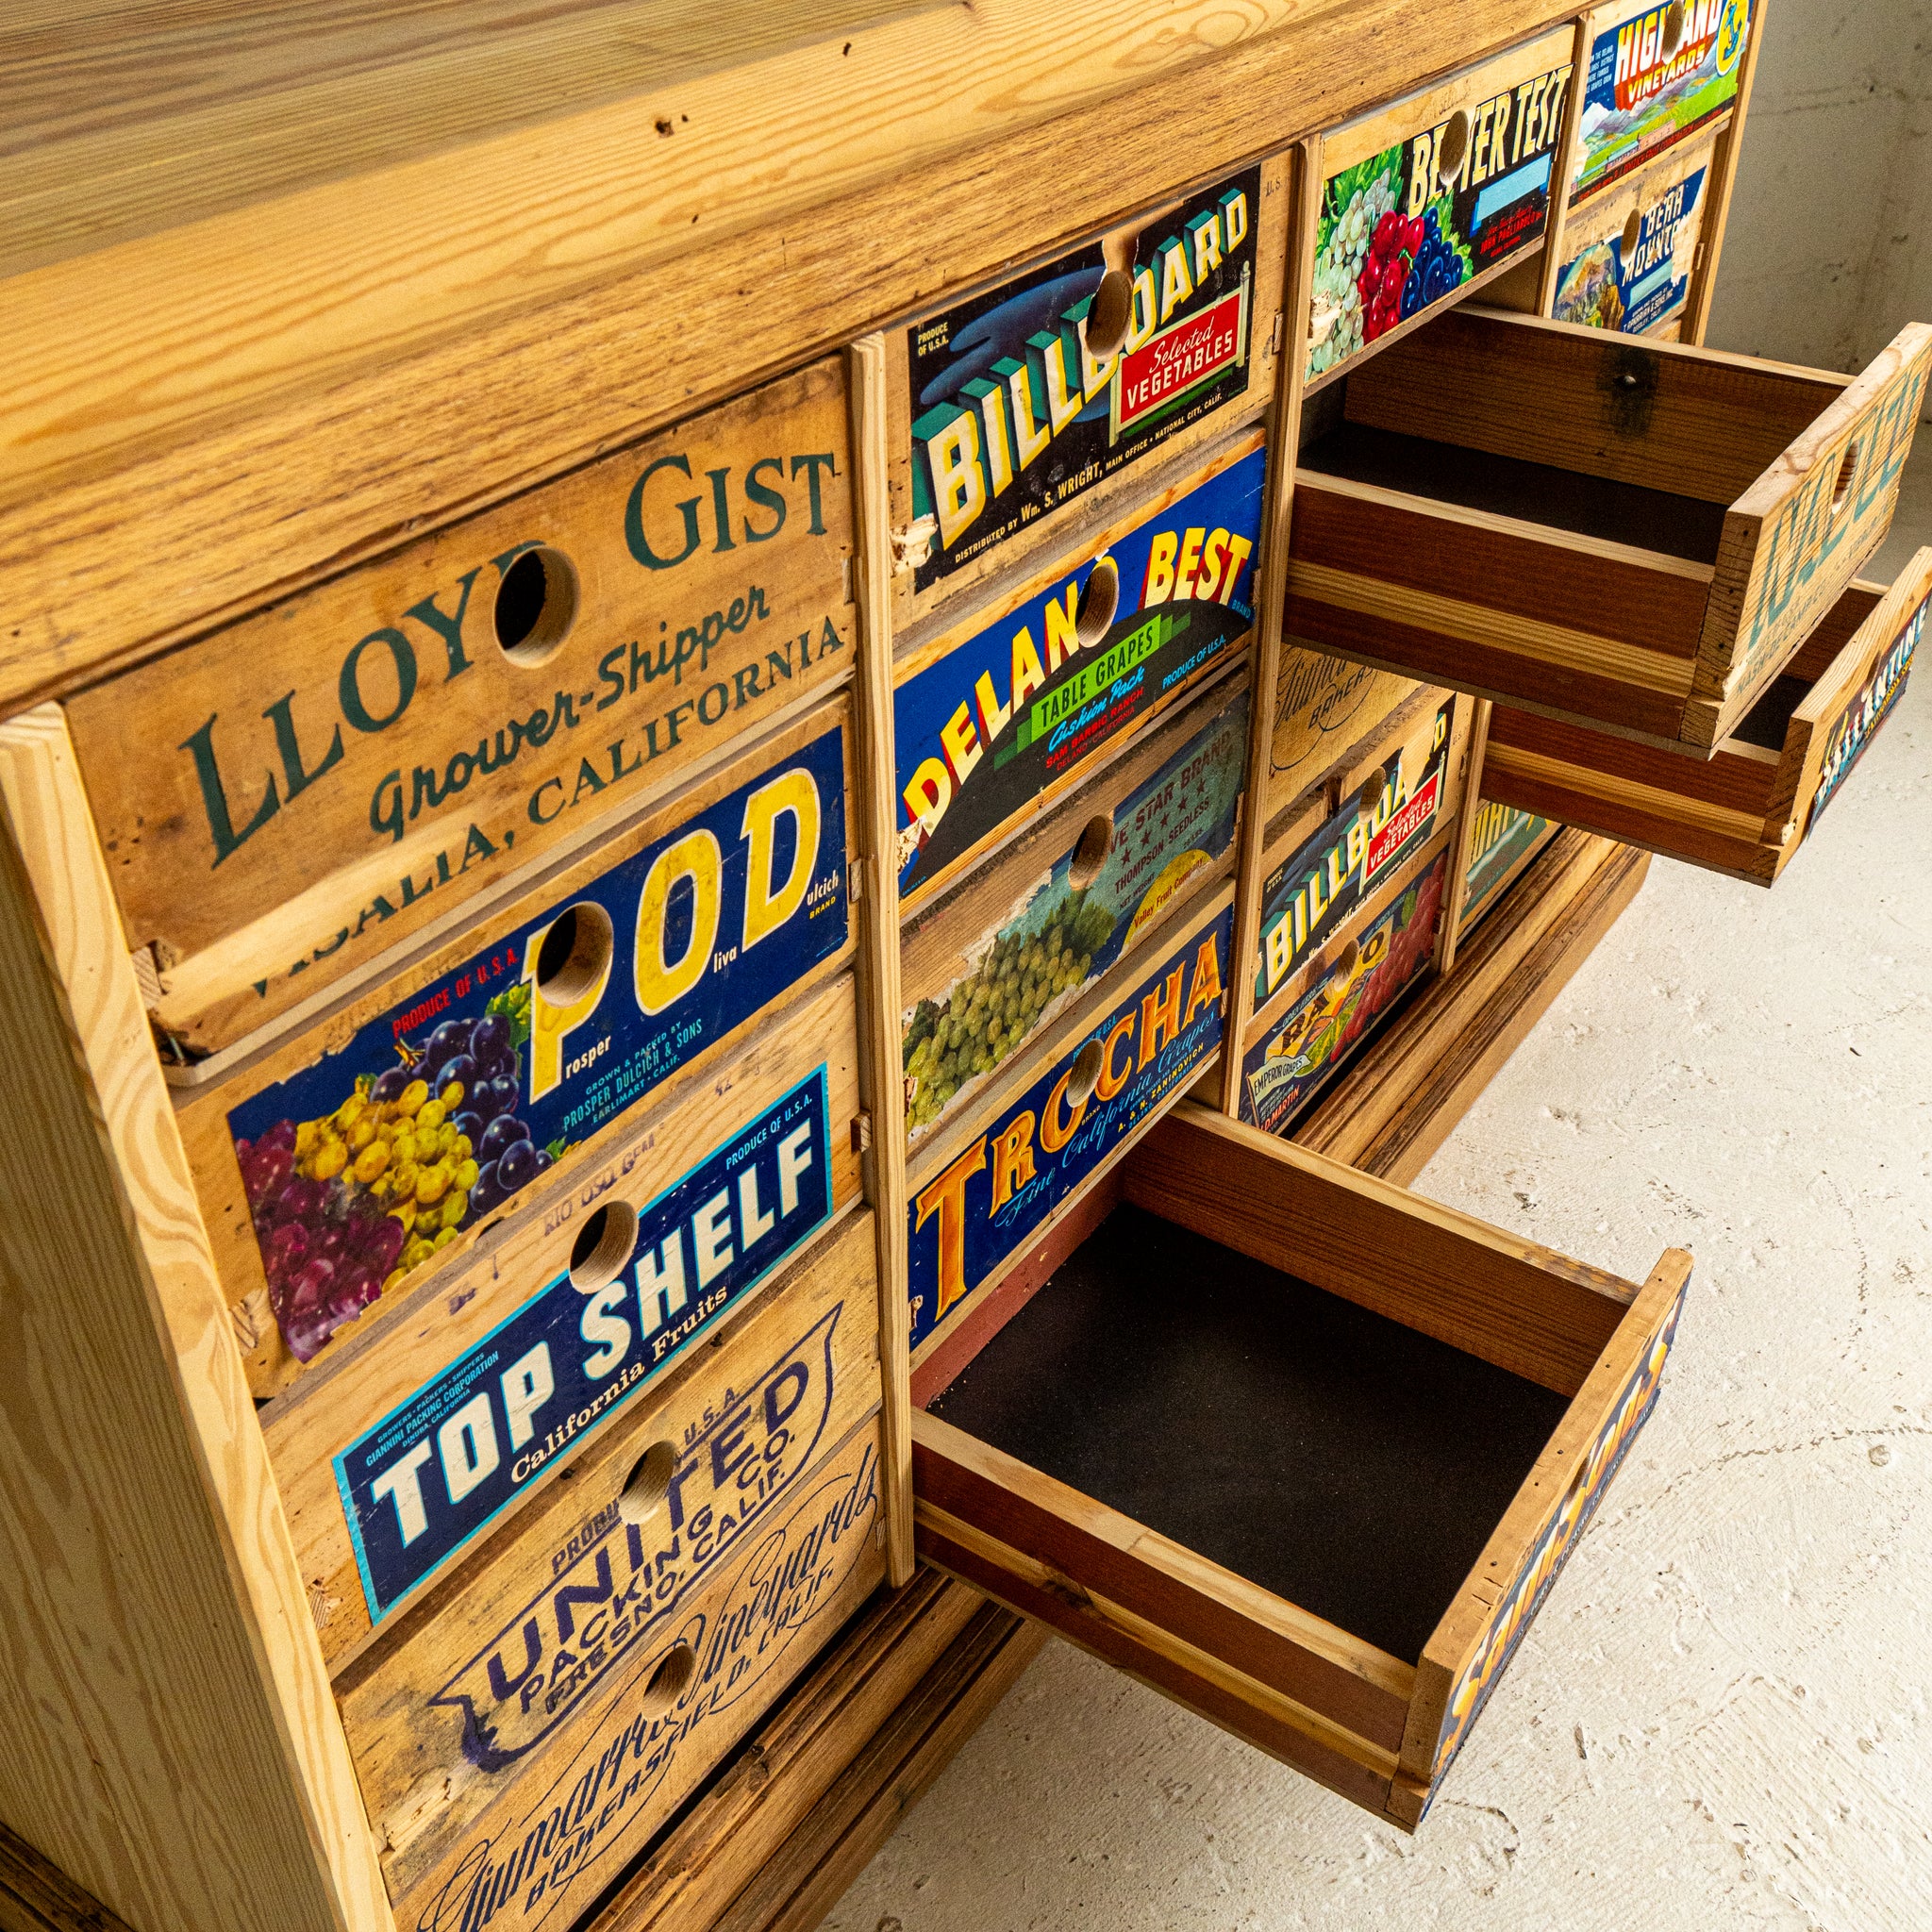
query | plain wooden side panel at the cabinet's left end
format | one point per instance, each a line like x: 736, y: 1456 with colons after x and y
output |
x: 177, y: 1749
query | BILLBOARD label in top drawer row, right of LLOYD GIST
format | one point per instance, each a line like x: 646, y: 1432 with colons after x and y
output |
x: 1033, y: 393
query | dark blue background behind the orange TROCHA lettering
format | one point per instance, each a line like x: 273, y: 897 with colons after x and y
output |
x: 990, y: 1237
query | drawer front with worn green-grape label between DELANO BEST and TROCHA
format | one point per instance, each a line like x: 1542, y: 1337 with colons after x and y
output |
x: 1017, y: 942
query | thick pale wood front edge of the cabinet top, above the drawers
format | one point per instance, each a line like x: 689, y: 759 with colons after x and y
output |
x: 233, y: 409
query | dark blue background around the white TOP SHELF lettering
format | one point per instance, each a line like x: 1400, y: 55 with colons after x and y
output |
x: 554, y: 1315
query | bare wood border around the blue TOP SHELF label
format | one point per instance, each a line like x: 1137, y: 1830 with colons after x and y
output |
x: 424, y: 1330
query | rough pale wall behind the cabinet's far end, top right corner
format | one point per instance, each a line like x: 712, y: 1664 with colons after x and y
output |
x: 1827, y: 258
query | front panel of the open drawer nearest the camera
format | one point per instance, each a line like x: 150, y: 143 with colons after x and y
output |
x: 1475, y: 1641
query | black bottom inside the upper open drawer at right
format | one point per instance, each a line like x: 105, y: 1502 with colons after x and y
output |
x: 1527, y: 492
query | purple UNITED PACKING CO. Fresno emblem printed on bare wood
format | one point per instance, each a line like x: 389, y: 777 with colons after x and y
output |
x: 615, y: 1589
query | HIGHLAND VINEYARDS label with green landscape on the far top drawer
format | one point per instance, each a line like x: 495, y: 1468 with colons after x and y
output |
x: 1655, y: 76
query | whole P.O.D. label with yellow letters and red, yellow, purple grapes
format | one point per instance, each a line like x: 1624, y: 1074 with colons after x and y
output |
x: 470, y: 1085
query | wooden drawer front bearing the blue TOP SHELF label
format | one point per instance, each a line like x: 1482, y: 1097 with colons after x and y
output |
x: 432, y: 1425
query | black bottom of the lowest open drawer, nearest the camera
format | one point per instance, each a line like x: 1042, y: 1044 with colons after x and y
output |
x: 1332, y: 1456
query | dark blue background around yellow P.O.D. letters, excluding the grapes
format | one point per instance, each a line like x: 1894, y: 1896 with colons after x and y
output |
x: 644, y: 1048
